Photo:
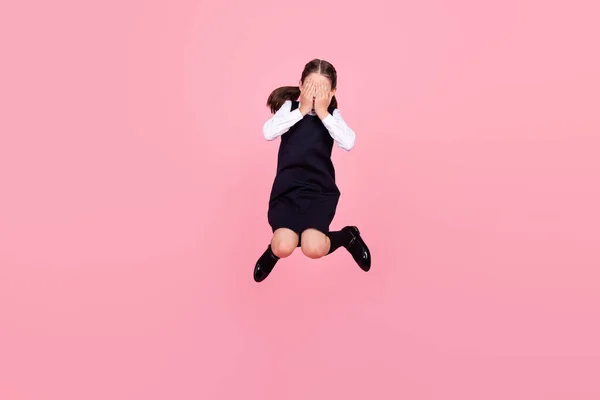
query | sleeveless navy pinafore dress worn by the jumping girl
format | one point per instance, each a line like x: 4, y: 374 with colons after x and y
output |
x: 304, y: 193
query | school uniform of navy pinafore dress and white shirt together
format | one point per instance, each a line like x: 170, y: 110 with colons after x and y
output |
x: 304, y: 193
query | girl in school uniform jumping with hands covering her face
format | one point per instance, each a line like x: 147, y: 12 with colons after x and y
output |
x: 304, y: 195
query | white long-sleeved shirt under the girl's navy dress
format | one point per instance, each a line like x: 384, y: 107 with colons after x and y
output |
x: 285, y: 118
